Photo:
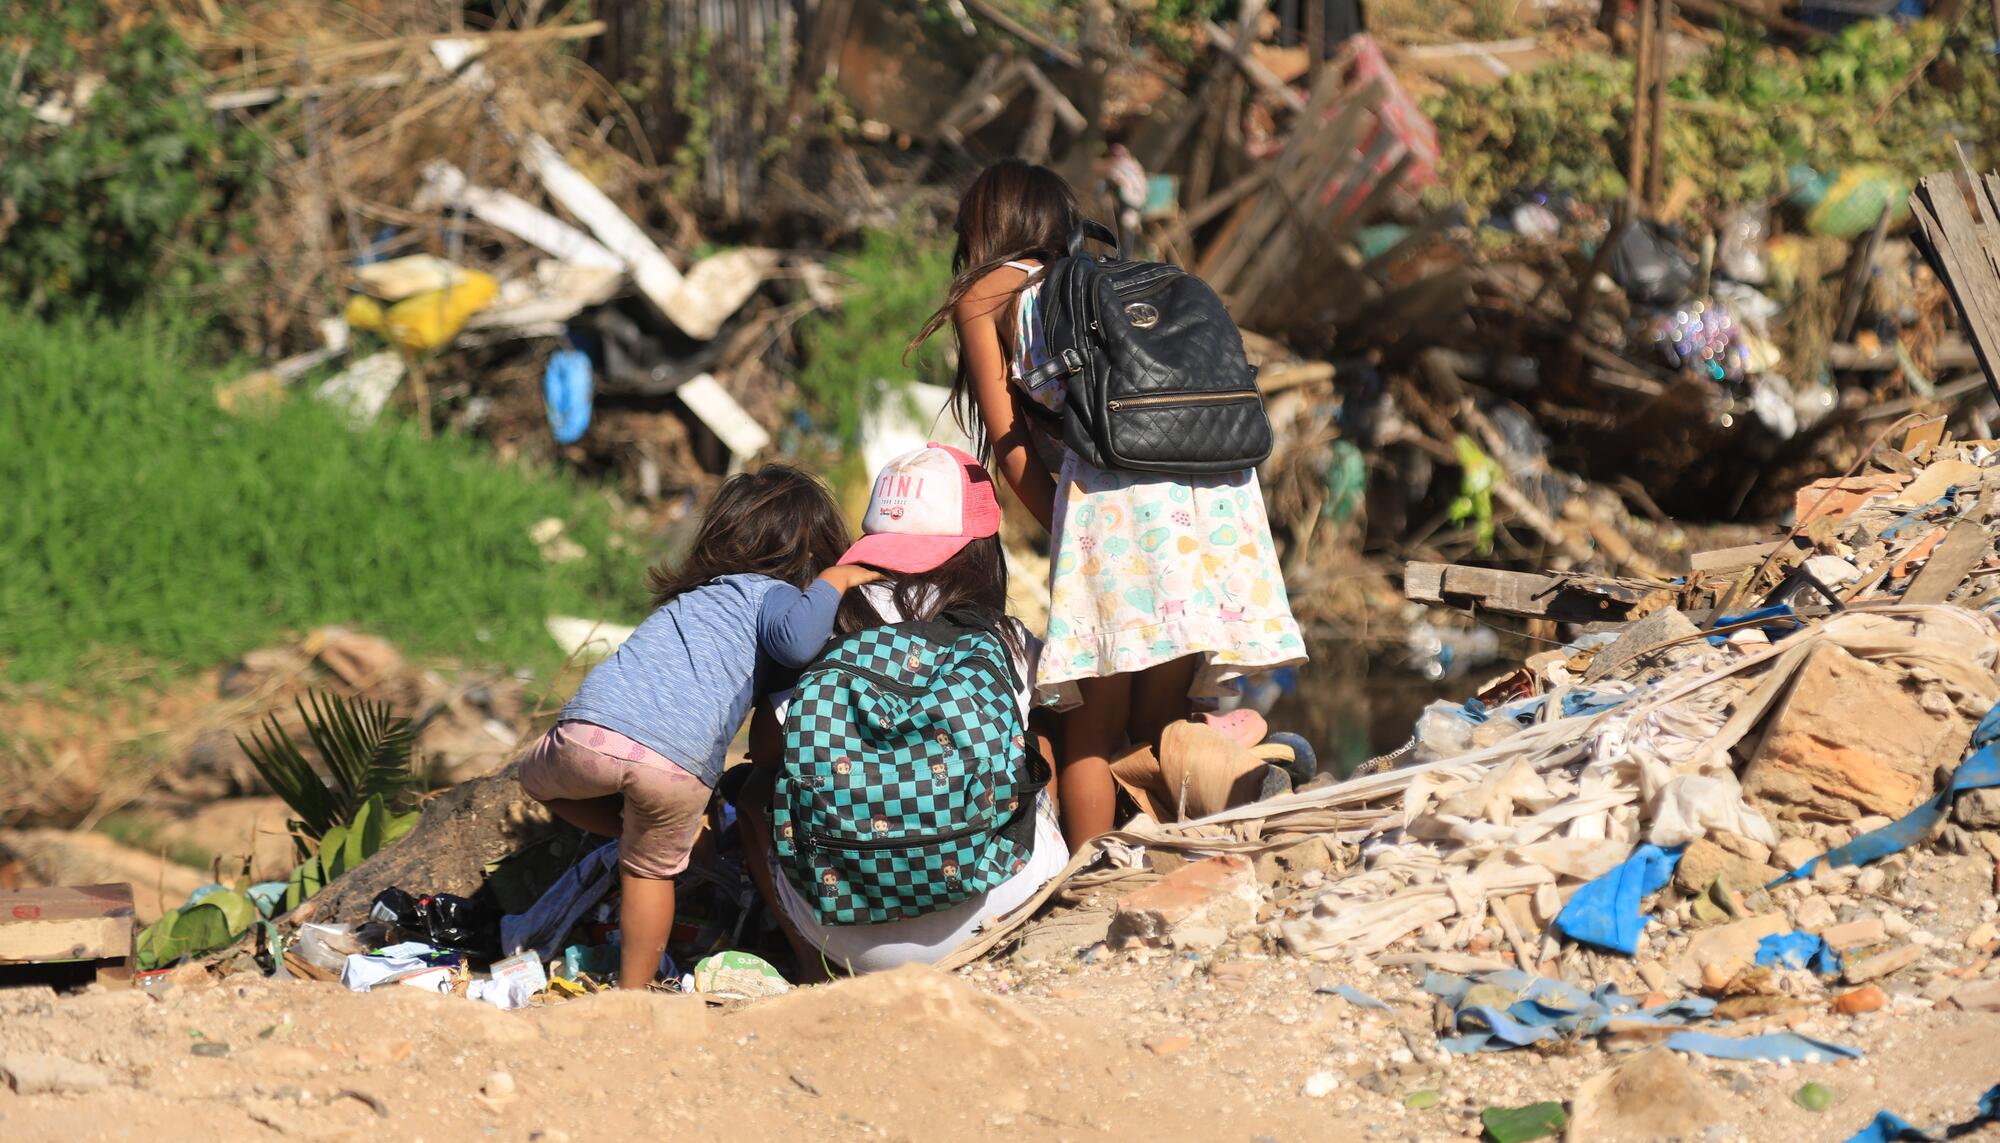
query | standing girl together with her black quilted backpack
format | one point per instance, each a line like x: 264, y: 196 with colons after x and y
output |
x: 1113, y: 399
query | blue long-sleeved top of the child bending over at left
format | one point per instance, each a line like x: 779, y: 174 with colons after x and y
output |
x: 687, y: 678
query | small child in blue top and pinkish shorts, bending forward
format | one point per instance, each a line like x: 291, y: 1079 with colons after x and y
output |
x: 639, y: 750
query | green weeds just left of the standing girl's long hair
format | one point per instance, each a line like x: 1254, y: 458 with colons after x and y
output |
x: 893, y: 287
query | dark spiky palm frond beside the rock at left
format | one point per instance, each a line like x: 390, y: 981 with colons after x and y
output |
x: 365, y: 748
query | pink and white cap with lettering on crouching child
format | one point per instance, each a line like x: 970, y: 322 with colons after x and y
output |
x: 927, y: 507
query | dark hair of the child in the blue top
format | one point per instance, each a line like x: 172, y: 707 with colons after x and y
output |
x: 777, y: 523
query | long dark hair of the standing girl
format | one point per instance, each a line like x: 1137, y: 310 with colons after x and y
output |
x: 1013, y: 211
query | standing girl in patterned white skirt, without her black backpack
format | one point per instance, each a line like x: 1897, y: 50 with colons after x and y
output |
x: 1163, y: 590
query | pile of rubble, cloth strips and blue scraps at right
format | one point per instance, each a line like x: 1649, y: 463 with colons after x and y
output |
x: 1711, y: 814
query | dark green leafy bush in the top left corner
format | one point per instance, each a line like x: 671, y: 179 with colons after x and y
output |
x: 111, y: 191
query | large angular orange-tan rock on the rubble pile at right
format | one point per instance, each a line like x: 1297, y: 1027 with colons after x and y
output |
x: 1853, y: 740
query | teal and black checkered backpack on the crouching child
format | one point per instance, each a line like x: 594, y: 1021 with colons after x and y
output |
x: 909, y: 780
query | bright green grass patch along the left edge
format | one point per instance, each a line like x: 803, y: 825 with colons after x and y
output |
x: 141, y: 523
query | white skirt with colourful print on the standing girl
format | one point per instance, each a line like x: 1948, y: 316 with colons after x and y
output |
x: 1149, y: 571
